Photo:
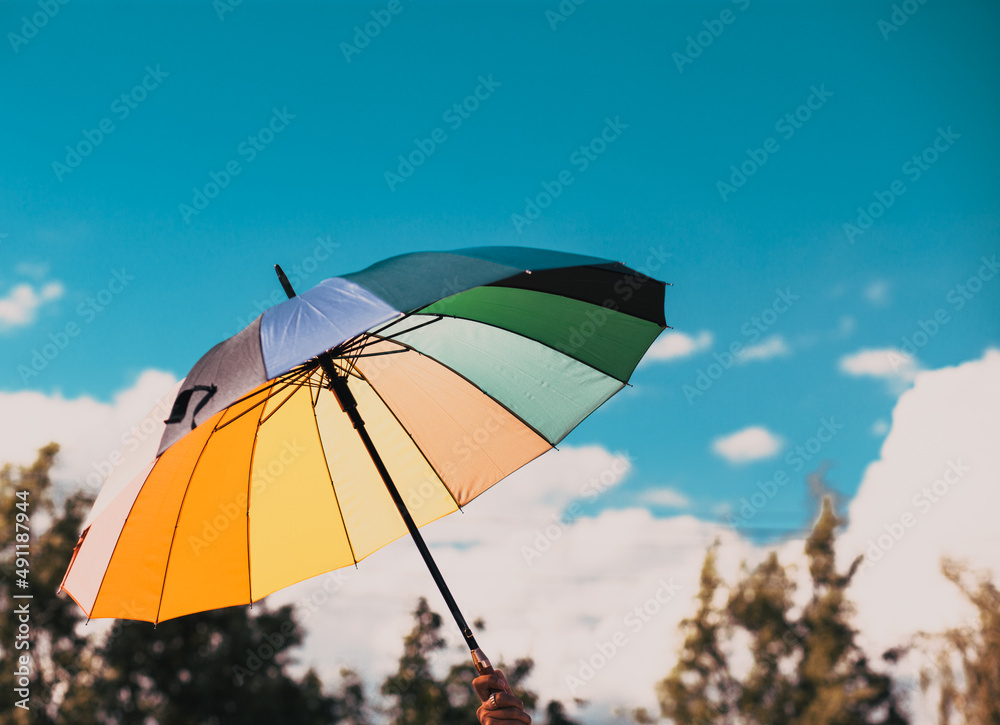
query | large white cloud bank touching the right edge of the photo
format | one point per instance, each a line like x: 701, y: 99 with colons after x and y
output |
x: 945, y: 424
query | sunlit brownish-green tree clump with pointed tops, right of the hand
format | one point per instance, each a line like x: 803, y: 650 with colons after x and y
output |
x: 806, y: 670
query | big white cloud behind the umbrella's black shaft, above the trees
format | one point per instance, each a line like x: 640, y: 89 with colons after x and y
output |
x: 578, y: 593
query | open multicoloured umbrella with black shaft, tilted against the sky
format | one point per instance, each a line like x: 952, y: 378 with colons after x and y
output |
x: 360, y: 410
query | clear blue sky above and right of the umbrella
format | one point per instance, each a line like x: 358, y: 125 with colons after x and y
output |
x: 546, y: 87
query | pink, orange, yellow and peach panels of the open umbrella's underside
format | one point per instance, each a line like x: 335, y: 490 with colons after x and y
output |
x: 278, y: 488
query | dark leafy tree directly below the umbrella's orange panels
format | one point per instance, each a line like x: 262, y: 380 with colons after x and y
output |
x: 226, y: 665
